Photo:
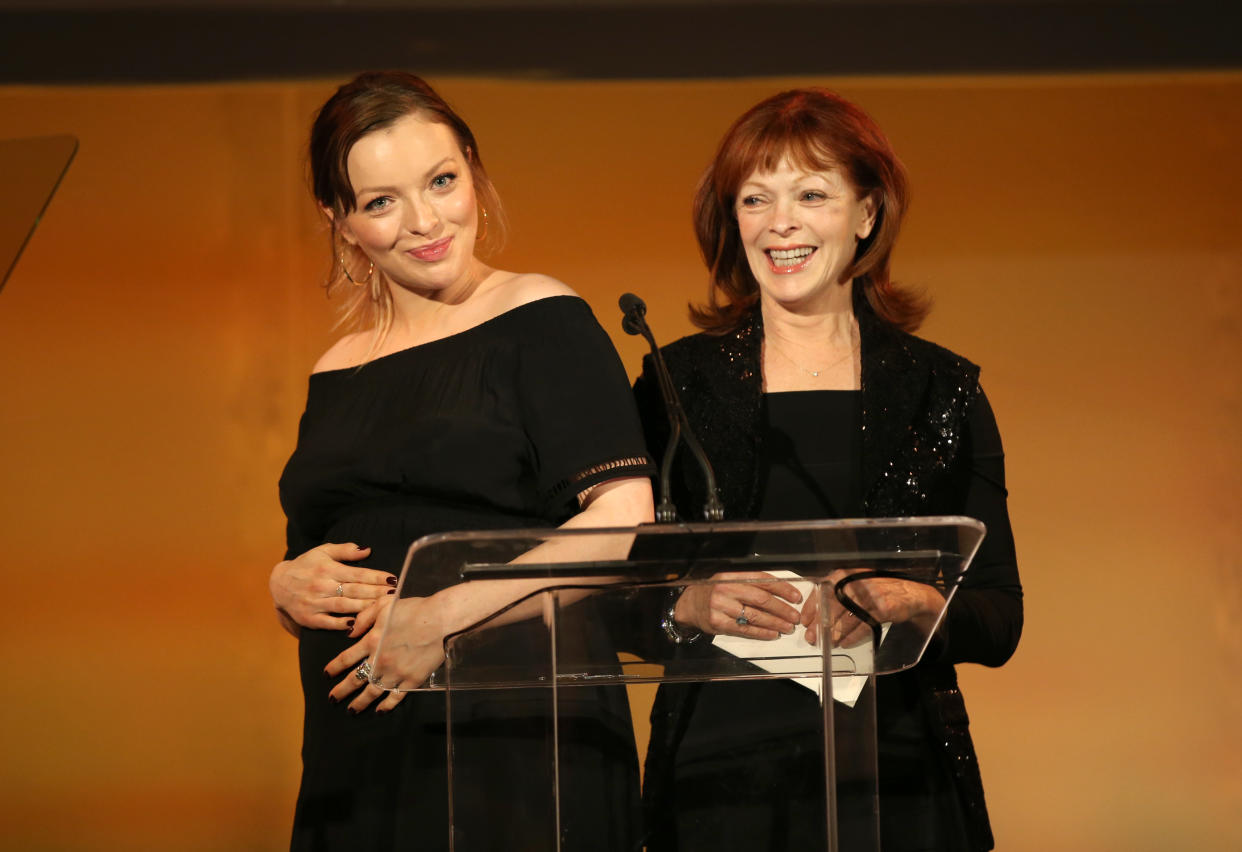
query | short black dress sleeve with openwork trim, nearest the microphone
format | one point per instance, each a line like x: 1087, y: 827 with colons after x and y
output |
x: 576, y: 406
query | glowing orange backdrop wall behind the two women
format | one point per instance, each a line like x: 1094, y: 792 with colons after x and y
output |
x: 1080, y: 235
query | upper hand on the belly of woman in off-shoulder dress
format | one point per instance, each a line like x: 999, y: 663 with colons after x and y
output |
x: 320, y: 591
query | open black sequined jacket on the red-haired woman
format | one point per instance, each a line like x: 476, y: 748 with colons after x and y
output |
x: 916, y: 401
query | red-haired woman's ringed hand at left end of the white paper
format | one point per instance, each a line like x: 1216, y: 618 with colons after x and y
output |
x: 752, y: 608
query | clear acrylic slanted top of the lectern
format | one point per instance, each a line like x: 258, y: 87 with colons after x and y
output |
x: 587, y: 607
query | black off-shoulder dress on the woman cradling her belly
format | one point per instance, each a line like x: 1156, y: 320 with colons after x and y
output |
x: 497, y: 428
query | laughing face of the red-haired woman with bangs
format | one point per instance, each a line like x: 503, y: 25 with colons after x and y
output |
x: 800, y: 230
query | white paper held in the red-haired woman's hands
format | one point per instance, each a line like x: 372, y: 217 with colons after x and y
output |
x: 789, y: 653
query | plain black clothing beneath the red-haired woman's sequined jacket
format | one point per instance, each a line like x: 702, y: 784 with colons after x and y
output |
x: 752, y: 750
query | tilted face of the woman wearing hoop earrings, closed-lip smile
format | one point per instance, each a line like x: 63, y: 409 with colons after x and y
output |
x: 415, y: 215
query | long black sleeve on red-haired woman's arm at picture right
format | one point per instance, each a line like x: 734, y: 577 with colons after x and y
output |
x: 986, y: 618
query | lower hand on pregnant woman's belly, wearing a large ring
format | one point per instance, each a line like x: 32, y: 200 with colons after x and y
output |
x: 417, y: 649
